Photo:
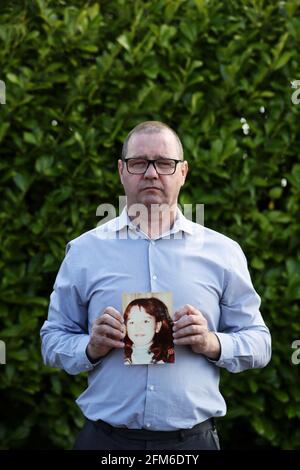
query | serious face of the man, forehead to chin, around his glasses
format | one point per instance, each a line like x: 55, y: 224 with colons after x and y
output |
x: 152, y: 188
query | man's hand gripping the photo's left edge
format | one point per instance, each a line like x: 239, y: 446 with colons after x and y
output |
x: 108, y: 332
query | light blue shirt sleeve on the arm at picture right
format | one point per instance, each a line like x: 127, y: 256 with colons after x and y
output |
x: 244, y: 338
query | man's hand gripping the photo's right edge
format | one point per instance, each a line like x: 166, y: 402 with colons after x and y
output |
x: 190, y: 328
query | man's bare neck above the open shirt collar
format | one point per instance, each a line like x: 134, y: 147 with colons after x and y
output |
x: 155, y: 220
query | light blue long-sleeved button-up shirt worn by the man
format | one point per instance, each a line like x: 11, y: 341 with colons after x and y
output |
x: 202, y: 268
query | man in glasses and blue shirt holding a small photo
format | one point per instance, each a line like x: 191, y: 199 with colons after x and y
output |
x: 217, y: 322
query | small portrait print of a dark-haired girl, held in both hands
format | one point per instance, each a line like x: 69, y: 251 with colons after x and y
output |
x: 149, y: 338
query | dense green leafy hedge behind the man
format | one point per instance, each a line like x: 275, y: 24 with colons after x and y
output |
x: 79, y: 75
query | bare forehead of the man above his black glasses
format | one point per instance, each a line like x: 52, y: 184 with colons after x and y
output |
x: 161, y: 143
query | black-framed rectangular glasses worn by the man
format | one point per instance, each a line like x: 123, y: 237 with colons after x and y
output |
x: 163, y: 166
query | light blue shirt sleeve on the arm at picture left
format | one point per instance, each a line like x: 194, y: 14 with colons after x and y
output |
x: 65, y: 333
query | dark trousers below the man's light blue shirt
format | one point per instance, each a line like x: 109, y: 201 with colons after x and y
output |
x: 97, y: 435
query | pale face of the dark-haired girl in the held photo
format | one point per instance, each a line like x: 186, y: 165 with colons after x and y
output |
x: 141, y: 326
